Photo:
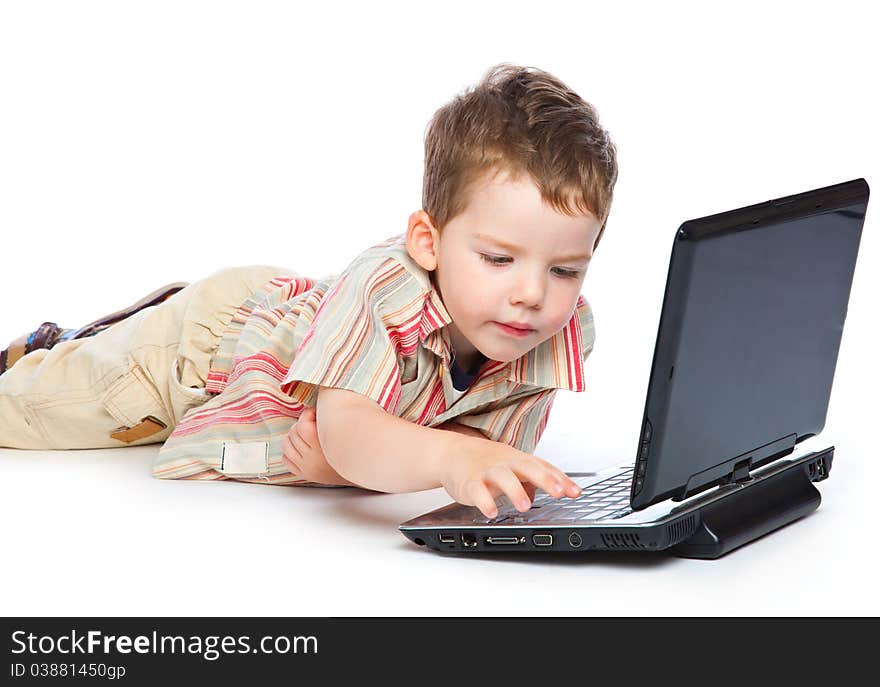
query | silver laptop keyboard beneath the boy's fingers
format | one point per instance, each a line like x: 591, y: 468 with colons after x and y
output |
x: 605, y: 500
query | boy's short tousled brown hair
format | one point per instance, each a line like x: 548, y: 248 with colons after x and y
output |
x: 520, y: 120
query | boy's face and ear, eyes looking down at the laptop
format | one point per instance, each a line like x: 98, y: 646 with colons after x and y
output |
x: 534, y: 279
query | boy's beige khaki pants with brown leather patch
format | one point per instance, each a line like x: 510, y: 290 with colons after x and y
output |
x: 154, y: 363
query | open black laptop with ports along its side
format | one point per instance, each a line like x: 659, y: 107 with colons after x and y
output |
x: 728, y: 449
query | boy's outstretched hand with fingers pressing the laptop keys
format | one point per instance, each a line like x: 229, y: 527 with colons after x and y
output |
x: 484, y: 469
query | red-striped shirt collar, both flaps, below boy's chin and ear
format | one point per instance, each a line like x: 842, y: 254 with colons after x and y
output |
x: 557, y: 362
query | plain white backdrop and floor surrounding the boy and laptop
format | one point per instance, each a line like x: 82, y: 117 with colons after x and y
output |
x: 146, y: 143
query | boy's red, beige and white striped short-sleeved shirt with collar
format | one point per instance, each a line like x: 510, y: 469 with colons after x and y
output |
x: 378, y: 329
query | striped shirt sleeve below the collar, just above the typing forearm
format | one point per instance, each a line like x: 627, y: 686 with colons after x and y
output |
x: 518, y: 420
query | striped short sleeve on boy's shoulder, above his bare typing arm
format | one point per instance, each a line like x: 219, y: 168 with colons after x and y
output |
x: 348, y: 344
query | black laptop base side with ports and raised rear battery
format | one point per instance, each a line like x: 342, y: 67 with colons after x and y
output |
x: 705, y: 527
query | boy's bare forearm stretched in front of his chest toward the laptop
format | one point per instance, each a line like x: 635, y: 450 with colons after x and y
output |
x: 383, y: 452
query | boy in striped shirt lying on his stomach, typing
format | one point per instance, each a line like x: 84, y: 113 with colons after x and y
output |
x: 432, y: 360
